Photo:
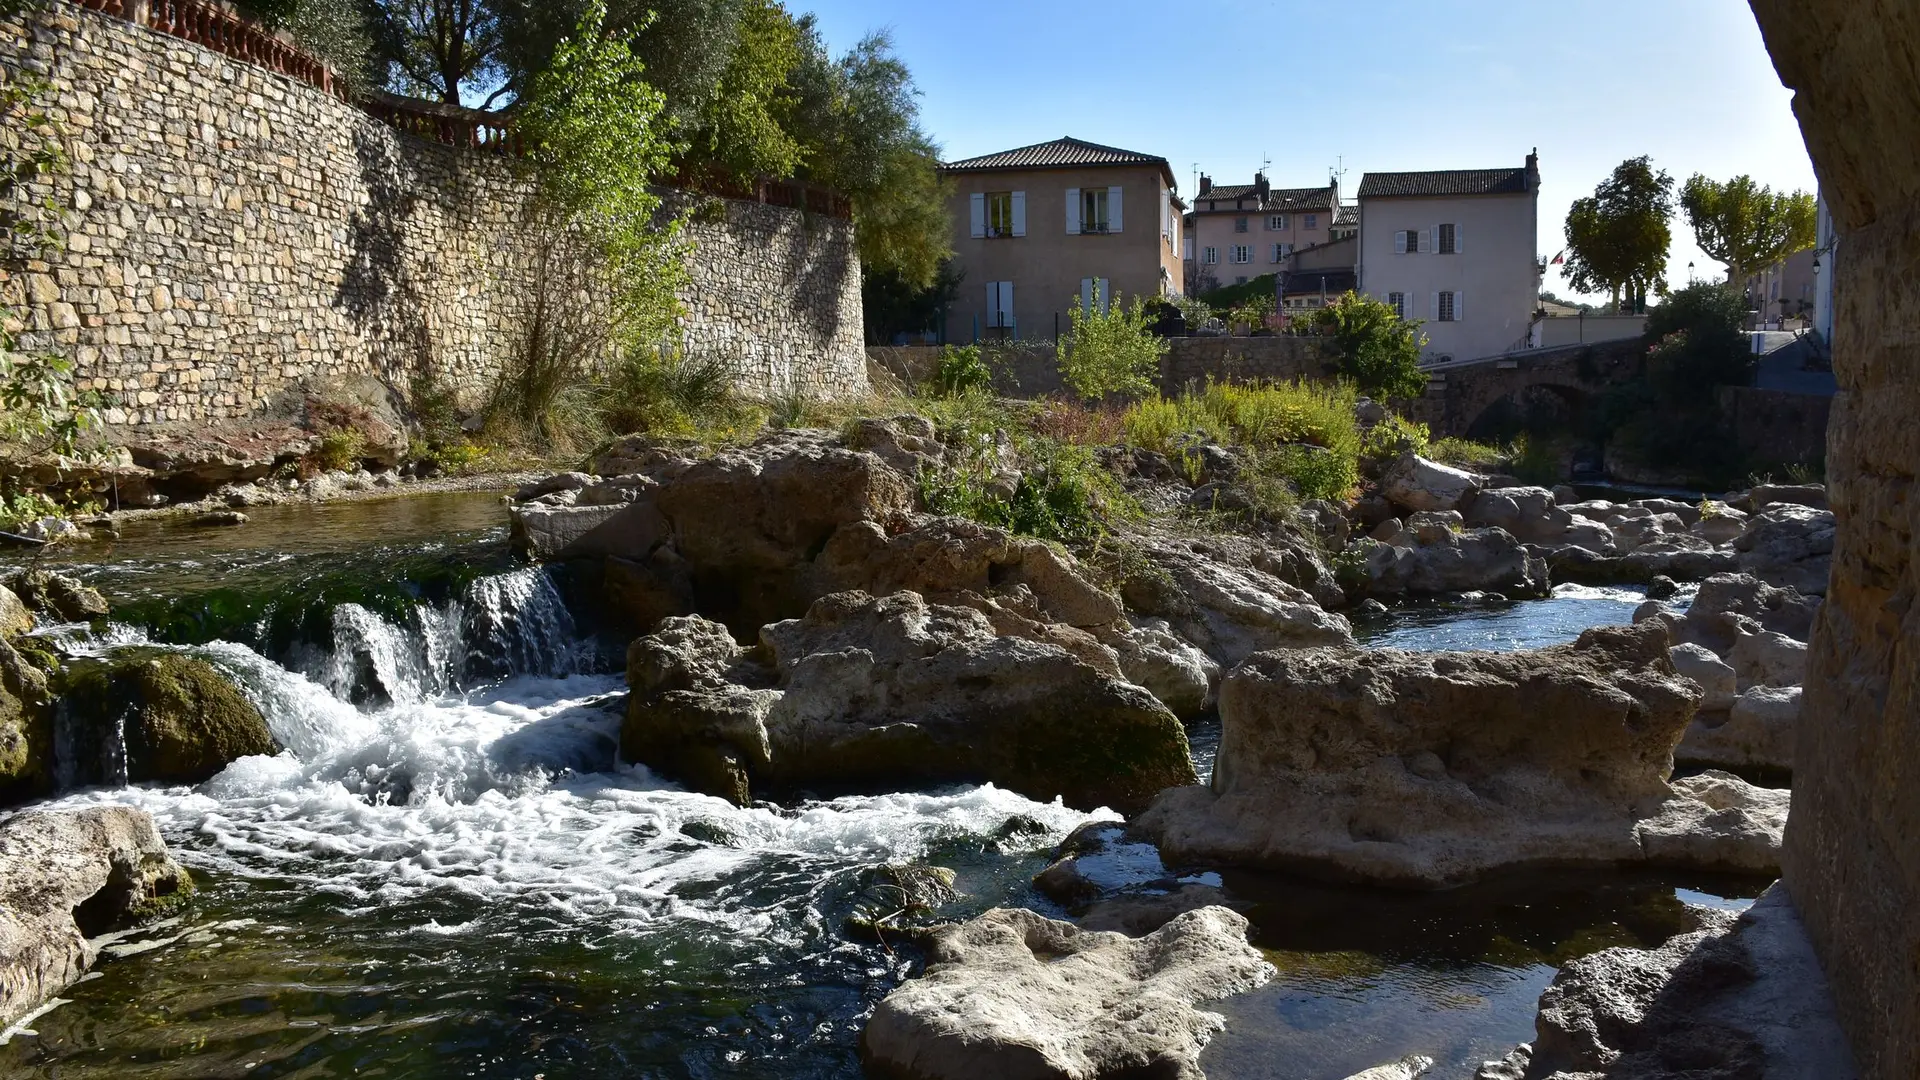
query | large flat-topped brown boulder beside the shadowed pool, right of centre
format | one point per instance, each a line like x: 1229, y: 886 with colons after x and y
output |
x: 1431, y: 770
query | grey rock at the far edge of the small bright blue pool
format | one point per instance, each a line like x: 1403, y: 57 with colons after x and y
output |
x: 1445, y: 560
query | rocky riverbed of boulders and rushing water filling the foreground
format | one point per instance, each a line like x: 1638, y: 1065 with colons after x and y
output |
x: 761, y: 712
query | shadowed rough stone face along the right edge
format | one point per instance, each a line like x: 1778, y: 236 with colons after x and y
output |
x: 1852, y: 850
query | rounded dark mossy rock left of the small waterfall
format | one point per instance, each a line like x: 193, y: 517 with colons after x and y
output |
x: 183, y: 720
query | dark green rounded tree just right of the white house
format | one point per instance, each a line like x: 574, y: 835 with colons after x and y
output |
x: 1618, y: 239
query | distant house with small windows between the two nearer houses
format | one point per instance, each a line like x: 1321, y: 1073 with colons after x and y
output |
x: 1243, y: 232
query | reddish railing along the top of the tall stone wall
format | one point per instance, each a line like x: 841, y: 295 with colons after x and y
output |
x: 226, y: 32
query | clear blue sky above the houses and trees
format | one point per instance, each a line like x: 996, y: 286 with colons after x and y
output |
x: 1387, y: 86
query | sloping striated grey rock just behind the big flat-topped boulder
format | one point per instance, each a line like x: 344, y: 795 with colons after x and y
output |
x: 1232, y: 597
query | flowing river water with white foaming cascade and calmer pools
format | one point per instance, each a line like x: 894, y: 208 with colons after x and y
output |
x: 450, y: 873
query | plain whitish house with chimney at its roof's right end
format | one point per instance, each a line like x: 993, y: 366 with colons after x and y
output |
x: 1456, y: 251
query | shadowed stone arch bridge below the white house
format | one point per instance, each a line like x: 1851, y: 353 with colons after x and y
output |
x: 1462, y: 393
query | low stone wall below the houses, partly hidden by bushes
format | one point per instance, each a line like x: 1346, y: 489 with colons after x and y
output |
x: 1034, y: 372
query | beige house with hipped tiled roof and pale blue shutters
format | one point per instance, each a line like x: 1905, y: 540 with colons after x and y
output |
x: 1059, y: 224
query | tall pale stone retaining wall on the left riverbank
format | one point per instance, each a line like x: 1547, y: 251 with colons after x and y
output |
x: 237, y: 237
